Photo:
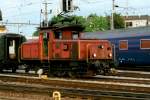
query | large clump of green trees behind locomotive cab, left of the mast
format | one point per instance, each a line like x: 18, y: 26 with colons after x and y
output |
x: 91, y: 23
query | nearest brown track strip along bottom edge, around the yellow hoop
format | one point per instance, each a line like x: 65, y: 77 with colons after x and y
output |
x: 70, y: 94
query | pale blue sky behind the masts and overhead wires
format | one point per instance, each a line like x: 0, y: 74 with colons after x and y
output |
x: 29, y: 10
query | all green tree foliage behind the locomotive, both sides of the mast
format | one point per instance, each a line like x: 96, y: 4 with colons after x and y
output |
x: 91, y: 23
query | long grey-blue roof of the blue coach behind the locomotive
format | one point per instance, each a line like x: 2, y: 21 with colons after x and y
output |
x: 132, y: 32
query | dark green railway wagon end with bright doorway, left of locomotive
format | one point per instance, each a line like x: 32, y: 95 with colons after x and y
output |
x: 9, y: 50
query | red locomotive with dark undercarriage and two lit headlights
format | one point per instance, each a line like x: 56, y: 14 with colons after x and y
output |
x: 64, y: 55
